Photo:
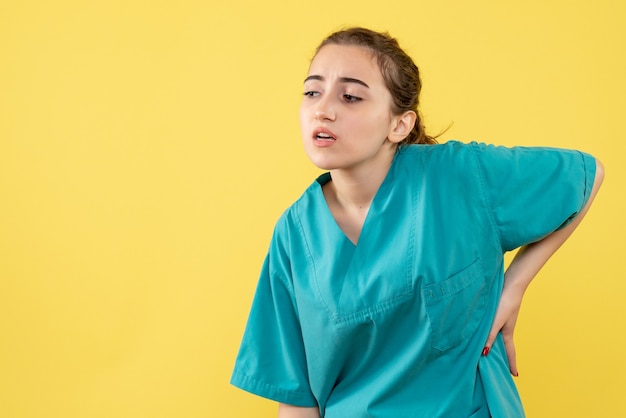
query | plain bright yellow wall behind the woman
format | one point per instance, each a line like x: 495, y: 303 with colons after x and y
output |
x: 147, y: 147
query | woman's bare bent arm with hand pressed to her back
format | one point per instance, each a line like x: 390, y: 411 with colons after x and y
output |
x: 524, y: 267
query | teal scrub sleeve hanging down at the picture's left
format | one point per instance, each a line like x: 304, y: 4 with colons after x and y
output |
x: 271, y: 362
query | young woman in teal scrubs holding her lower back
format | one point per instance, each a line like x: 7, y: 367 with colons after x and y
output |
x: 383, y: 293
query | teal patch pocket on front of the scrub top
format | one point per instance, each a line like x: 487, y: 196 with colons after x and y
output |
x: 455, y: 306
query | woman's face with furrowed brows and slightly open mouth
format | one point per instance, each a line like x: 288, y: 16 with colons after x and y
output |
x: 345, y: 115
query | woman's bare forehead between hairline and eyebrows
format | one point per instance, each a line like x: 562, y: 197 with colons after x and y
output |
x: 345, y: 60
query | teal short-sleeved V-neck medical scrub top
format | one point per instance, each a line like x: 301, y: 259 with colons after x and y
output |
x: 394, y: 326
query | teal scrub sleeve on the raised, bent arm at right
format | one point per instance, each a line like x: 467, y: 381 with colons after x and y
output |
x: 533, y: 191
